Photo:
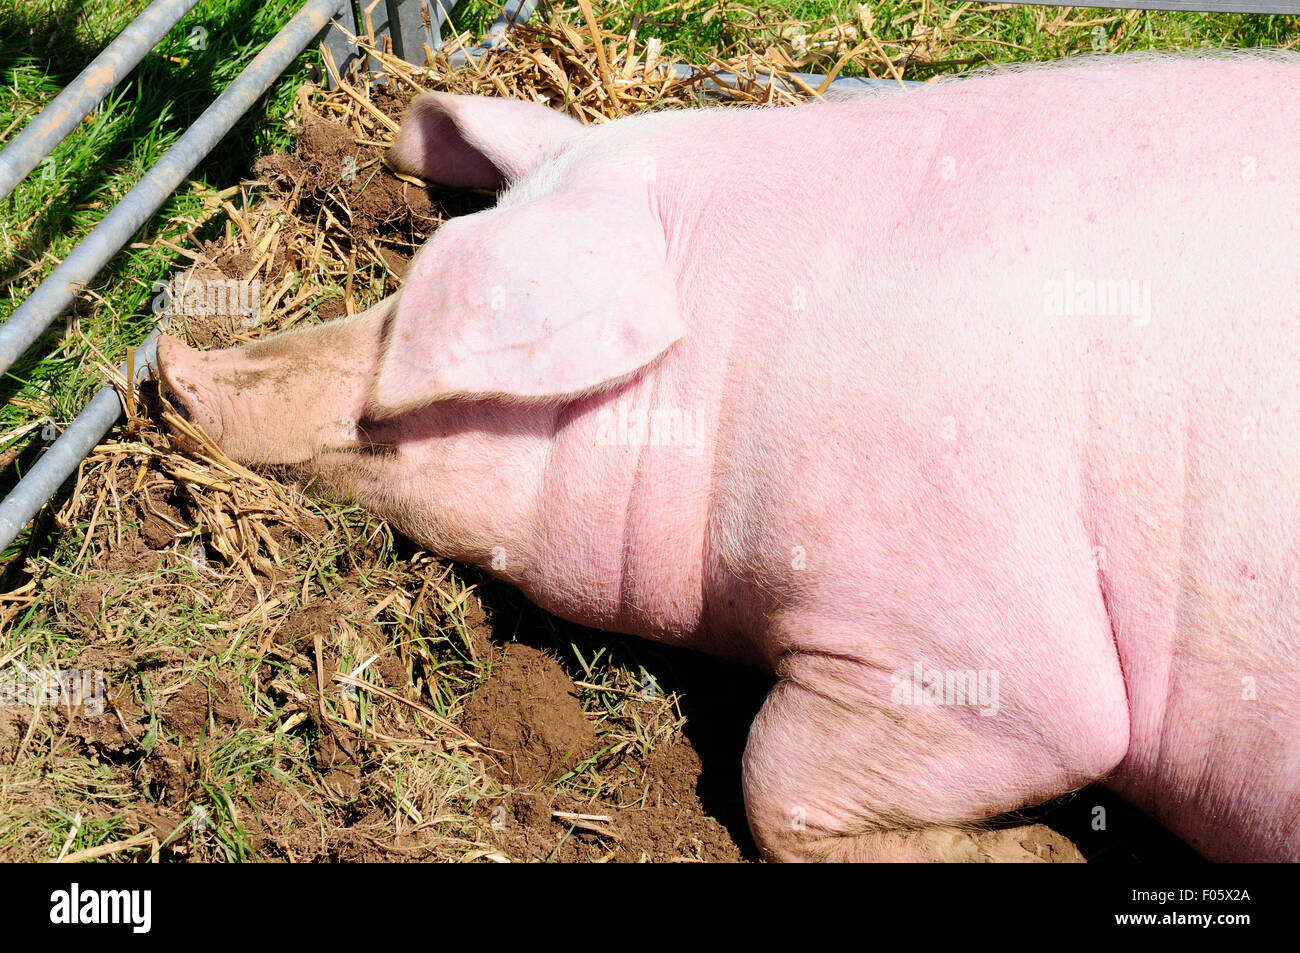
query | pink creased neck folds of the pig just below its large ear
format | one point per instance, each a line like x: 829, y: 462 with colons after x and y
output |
x: 619, y: 514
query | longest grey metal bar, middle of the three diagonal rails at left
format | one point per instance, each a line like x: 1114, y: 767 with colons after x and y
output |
x: 58, y: 292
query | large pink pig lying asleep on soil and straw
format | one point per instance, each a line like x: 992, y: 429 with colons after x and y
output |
x: 972, y: 414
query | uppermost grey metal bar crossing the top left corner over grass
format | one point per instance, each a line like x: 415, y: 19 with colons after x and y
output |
x: 88, y: 90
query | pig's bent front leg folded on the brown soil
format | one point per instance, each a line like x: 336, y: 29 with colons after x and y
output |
x: 848, y: 763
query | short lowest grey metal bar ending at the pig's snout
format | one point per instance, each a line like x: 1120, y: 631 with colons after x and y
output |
x: 67, y: 453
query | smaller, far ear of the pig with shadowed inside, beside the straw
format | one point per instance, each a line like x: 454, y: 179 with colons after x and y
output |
x: 476, y: 142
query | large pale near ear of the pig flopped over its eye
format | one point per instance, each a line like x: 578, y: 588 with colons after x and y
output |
x: 547, y: 301
